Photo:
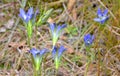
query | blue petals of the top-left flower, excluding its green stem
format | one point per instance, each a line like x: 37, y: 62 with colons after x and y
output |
x: 26, y: 16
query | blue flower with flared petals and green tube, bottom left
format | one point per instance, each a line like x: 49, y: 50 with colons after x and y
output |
x: 37, y: 57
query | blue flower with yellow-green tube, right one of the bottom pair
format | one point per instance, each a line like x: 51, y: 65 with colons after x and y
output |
x: 57, y: 53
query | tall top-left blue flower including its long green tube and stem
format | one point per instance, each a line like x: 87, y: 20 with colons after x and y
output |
x: 27, y: 20
